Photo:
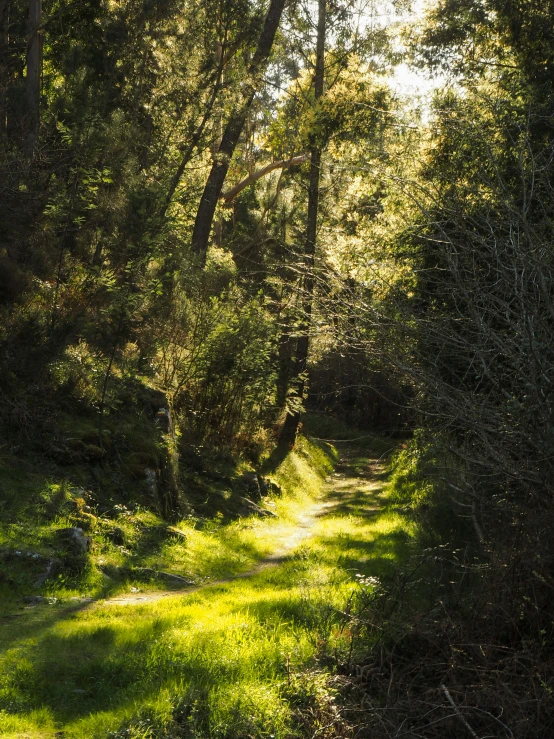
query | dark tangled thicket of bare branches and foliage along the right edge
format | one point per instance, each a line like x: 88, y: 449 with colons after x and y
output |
x: 473, y: 327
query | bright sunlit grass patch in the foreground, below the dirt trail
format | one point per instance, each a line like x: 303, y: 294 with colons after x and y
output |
x: 227, y: 647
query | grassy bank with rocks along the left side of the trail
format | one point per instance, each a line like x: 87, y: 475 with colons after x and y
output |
x: 37, y: 504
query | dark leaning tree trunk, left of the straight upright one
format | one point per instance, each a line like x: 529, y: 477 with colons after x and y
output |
x: 233, y: 129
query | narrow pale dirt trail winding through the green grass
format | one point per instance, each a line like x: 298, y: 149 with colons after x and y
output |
x: 343, y: 490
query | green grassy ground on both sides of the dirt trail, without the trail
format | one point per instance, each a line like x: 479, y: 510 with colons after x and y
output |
x: 242, y: 658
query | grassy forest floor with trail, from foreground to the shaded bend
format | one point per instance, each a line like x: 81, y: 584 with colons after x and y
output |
x: 245, y: 654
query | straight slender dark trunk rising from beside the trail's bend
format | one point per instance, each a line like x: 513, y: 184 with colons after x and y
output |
x: 292, y: 419
